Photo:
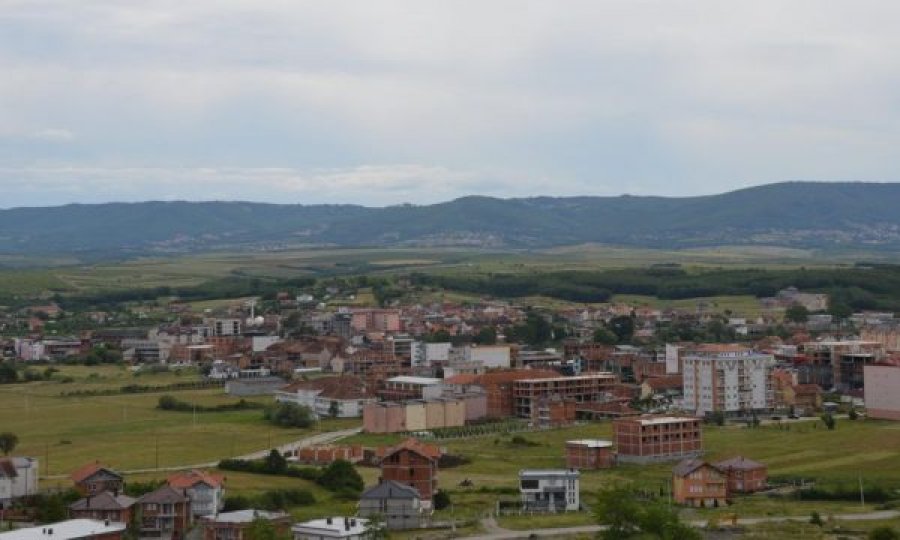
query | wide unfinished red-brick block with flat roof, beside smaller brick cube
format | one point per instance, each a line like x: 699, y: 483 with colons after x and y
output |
x: 645, y: 439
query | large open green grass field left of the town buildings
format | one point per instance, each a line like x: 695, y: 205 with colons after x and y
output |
x: 127, y: 431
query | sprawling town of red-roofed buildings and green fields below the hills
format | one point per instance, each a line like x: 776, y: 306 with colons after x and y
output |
x: 321, y: 411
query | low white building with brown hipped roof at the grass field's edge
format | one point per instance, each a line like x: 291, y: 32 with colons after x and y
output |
x: 342, y: 396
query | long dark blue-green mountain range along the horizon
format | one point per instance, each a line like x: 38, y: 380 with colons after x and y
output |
x: 793, y: 214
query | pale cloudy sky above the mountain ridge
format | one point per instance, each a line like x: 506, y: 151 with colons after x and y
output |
x: 383, y: 102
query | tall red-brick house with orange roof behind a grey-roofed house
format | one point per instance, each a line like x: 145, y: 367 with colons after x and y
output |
x: 414, y: 464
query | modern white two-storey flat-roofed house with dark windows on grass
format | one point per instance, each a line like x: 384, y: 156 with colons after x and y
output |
x: 555, y: 490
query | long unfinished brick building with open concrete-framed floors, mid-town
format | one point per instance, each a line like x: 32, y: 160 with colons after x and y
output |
x: 587, y: 388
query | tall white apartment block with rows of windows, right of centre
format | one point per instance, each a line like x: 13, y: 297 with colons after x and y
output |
x: 727, y: 378
